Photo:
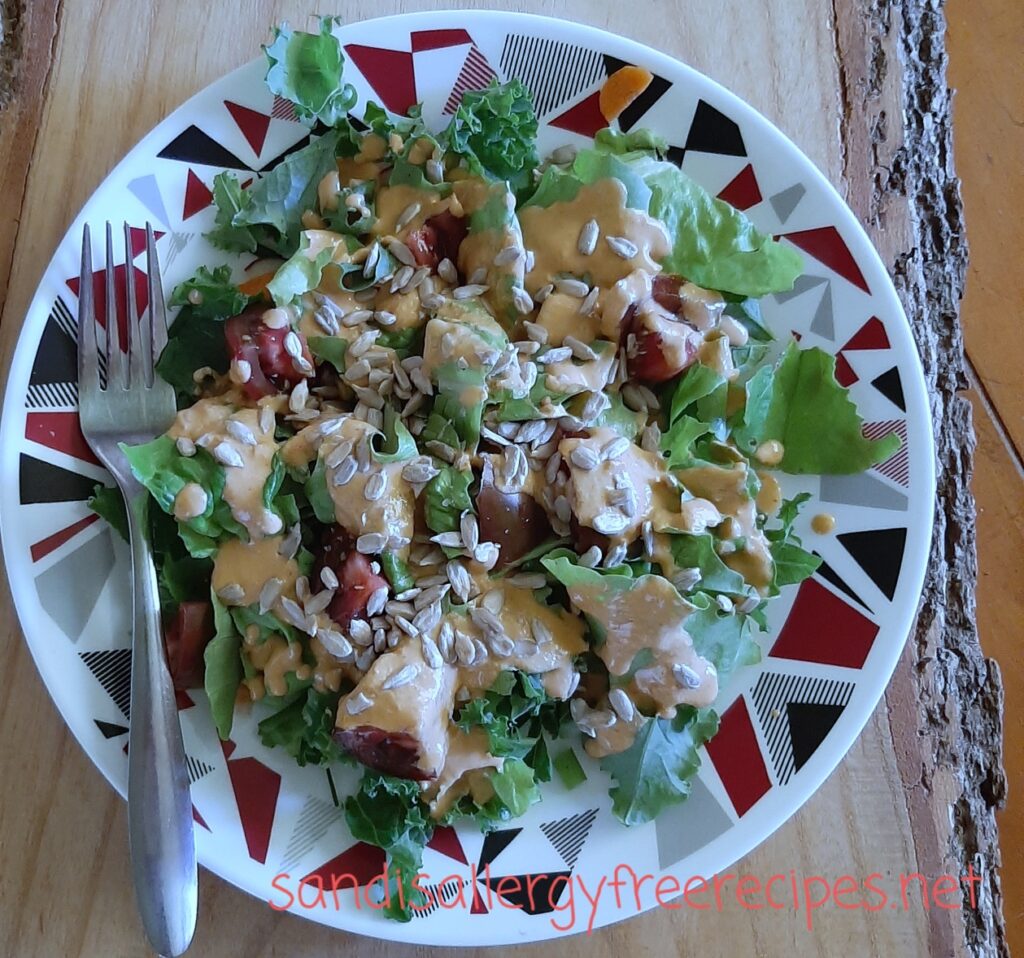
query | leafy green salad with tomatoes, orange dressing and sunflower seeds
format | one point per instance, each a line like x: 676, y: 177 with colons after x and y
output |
x: 475, y: 476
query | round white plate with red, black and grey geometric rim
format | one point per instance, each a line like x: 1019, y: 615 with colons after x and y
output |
x: 786, y: 724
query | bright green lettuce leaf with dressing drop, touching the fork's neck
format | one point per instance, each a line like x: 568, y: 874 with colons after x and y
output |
x: 164, y: 471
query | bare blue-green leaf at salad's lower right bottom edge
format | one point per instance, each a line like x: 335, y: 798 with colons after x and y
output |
x: 657, y: 770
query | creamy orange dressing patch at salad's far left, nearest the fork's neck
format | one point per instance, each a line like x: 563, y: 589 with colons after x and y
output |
x: 243, y: 485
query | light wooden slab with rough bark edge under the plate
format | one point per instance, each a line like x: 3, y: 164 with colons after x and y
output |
x: 865, y: 96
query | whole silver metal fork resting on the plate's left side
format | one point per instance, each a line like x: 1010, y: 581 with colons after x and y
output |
x: 136, y: 407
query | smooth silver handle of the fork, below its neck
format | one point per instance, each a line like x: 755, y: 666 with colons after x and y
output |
x: 160, y: 811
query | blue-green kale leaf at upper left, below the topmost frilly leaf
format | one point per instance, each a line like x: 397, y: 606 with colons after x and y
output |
x: 269, y: 214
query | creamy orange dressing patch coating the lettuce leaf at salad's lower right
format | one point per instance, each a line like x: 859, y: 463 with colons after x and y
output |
x: 650, y: 616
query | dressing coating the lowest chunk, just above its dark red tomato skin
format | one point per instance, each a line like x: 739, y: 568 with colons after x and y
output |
x: 421, y: 708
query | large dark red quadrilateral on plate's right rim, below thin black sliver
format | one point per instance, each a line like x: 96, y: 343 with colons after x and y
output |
x: 850, y: 635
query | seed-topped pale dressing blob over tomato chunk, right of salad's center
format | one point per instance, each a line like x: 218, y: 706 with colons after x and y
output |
x: 590, y: 491
